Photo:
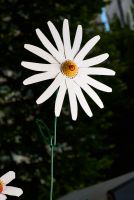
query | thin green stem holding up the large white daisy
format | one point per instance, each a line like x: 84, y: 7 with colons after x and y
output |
x: 53, y: 144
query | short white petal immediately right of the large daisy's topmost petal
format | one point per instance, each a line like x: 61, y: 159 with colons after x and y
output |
x: 77, y: 41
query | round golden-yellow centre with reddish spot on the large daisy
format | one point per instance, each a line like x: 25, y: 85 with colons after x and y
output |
x: 69, y: 68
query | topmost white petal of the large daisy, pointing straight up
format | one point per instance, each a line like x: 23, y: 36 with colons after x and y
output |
x: 66, y: 39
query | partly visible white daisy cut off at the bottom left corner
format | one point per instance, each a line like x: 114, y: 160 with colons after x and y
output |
x: 9, y: 190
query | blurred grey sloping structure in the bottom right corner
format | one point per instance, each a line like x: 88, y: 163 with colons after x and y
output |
x: 119, y: 188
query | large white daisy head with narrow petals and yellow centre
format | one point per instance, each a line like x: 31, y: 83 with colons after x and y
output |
x: 68, y: 69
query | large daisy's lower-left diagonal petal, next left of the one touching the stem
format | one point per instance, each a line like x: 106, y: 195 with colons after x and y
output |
x: 51, y: 89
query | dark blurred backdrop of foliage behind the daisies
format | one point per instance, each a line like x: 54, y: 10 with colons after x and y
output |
x: 90, y: 150
